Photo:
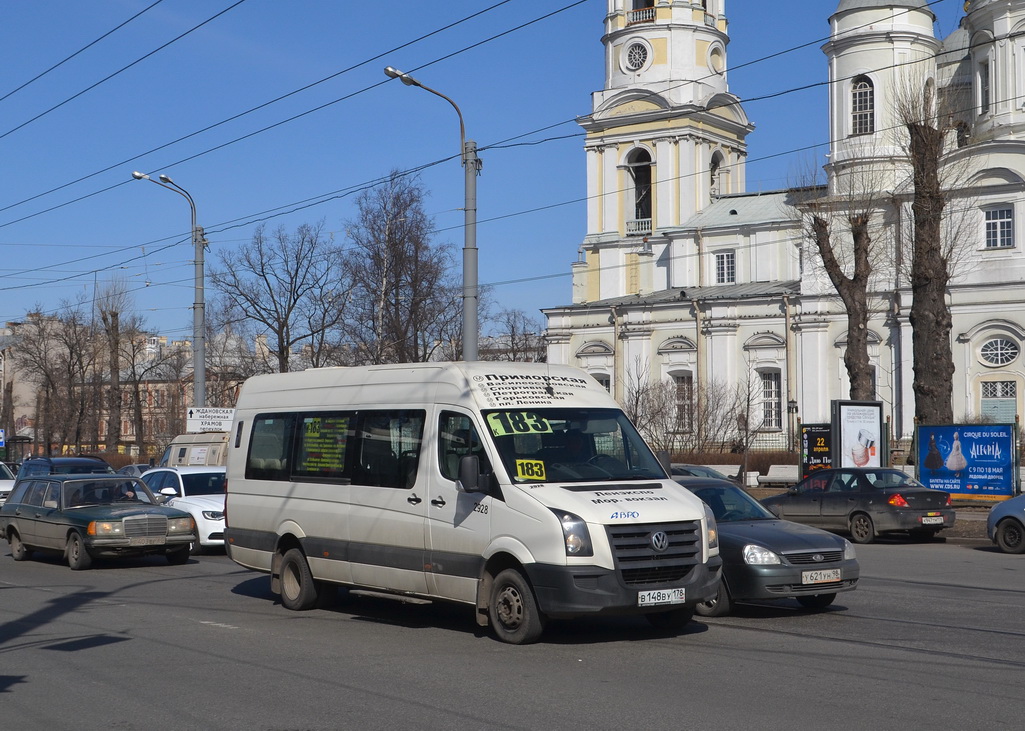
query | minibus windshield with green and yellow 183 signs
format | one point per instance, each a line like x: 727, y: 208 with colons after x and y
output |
x: 570, y: 445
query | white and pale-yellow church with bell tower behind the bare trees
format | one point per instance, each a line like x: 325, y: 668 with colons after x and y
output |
x: 685, y: 278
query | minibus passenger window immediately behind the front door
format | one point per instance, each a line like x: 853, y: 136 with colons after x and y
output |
x: 388, y: 449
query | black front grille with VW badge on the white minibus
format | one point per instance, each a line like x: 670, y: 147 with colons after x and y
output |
x: 640, y: 562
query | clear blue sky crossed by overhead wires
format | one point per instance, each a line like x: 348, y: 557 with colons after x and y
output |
x: 158, y: 97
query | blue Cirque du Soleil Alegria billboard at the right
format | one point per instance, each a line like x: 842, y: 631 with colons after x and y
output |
x: 974, y: 462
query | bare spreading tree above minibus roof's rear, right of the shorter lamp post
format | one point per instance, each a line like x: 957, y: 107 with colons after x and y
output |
x: 286, y: 283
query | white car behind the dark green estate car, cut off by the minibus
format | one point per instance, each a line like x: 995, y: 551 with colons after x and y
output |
x: 200, y: 492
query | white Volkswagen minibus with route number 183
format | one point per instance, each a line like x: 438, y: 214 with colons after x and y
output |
x: 521, y: 490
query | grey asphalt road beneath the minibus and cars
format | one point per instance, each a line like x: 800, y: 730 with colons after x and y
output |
x: 933, y: 638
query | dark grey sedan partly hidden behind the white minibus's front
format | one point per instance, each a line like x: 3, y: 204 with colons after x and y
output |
x: 768, y: 558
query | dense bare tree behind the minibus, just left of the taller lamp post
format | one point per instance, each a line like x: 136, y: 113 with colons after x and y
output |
x: 404, y: 307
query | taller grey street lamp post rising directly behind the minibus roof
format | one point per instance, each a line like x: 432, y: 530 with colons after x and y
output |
x: 471, y: 166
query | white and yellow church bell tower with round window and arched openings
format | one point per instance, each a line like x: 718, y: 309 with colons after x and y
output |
x: 665, y: 140
